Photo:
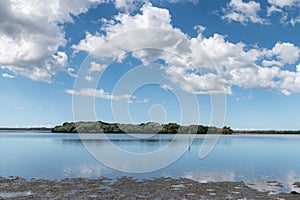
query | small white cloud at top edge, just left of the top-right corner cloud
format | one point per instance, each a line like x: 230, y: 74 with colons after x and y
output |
x: 243, y: 12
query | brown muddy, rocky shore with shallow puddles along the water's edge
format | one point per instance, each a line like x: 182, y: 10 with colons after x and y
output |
x: 129, y: 188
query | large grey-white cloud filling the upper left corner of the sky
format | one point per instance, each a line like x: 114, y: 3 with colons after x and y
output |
x: 30, y: 35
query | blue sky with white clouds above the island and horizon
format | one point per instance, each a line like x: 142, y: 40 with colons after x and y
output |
x: 234, y: 62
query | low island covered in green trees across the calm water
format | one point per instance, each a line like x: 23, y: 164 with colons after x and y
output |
x: 150, y: 127
